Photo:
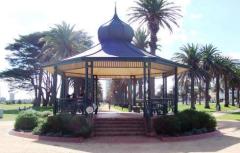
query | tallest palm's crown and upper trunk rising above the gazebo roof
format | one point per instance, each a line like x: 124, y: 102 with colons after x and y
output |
x: 156, y: 14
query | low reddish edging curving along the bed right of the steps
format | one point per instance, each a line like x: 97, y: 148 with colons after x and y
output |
x: 190, y: 137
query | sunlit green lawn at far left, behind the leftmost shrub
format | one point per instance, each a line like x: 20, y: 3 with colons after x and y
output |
x: 11, y: 110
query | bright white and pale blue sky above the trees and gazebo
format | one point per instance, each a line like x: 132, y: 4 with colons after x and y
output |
x: 203, y: 22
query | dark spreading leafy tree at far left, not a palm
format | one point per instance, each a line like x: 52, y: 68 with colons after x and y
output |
x: 25, y: 71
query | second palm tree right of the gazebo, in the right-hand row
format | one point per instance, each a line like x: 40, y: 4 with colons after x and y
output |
x: 209, y: 52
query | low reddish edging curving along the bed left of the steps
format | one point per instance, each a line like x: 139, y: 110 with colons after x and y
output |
x: 45, y: 138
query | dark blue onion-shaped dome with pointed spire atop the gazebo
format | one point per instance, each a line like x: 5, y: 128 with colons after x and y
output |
x: 115, y: 30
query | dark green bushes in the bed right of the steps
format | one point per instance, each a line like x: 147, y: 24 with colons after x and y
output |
x: 186, y: 122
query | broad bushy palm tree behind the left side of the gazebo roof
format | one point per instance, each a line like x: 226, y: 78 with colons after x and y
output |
x: 61, y: 42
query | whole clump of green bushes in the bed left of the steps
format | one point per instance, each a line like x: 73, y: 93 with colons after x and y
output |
x: 62, y: 125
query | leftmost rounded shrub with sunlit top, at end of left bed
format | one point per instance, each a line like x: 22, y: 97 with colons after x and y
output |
x: 26, y: 120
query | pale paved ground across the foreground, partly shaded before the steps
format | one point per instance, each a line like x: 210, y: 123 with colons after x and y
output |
x: 229, y: 142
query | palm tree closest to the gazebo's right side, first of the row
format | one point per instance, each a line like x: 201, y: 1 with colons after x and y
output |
x: 191, y: 55
